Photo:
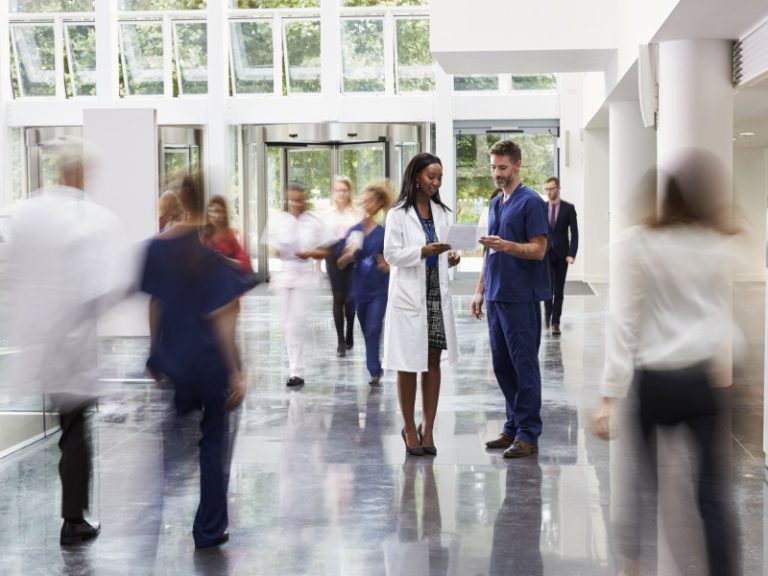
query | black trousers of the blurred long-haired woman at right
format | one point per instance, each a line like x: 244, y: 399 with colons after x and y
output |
x: 686, y: 398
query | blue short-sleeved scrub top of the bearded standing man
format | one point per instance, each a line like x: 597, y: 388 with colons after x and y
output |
x: 508, y: 278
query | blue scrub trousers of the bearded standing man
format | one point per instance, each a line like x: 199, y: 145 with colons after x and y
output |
x: 515, y: 333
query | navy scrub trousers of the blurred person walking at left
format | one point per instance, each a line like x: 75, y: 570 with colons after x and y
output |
x: 215, y: 445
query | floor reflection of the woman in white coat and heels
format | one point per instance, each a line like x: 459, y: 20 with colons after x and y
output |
x: 405, y: 553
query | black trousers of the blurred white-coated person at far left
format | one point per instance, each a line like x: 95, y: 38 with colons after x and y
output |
x: 75, y: 462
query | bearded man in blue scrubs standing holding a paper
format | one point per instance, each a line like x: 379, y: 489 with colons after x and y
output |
x: 514, y: 280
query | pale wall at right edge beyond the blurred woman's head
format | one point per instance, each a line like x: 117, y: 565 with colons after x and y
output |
x: 750, y: 190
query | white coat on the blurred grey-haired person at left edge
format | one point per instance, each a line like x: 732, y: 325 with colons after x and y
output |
x: 66, y: 267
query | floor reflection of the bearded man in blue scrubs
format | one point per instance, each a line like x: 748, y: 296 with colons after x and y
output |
x: 517, y: 529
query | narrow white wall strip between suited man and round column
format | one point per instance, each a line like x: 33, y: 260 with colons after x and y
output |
x: 595, y: 219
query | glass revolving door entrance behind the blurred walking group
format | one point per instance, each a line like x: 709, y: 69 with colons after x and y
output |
x: 312, y: 154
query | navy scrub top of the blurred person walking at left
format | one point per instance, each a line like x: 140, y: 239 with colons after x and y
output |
x: 190, y: 281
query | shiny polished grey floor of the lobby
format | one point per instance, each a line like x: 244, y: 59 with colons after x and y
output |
x: 320, y: 484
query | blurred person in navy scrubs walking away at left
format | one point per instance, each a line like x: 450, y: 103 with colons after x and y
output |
x: 192, y: 314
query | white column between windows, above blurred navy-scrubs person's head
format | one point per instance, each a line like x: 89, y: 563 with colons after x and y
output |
x: 217, y: 149
